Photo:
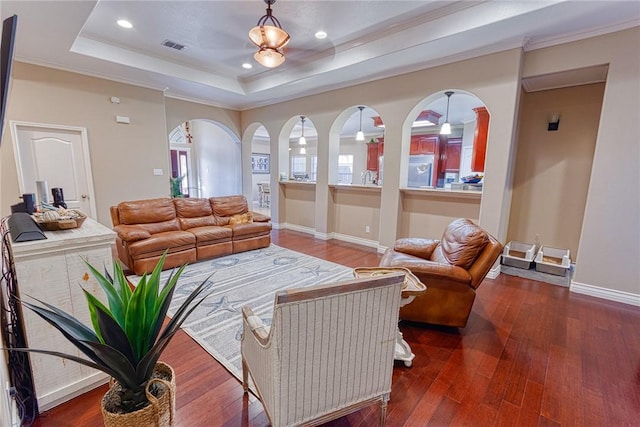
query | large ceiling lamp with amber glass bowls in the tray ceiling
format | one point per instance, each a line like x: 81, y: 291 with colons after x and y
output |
x: 270, y: 38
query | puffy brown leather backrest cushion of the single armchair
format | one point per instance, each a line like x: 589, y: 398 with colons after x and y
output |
x: 461, y: 243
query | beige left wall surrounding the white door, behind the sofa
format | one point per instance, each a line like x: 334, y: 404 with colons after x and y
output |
x: 122, y: 156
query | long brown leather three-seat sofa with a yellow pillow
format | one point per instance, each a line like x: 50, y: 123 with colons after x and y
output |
x: 189, y: 229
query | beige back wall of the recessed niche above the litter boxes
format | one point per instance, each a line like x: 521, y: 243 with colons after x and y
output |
x: 552, y: 169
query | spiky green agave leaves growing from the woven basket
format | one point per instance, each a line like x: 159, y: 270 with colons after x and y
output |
x: 127, y: 337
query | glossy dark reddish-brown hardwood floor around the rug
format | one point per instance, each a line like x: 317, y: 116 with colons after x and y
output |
x: 532, y: 354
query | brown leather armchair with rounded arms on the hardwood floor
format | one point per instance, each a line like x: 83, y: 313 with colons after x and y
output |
x: 452, y: 269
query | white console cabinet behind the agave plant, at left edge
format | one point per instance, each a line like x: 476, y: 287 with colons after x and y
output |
x: 53, y: 271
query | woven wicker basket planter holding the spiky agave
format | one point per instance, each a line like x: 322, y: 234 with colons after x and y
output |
x: 159, y: 412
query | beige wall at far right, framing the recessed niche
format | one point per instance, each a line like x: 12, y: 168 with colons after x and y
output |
x: 610, y: 237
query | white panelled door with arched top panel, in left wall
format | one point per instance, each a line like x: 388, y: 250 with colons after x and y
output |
x: 58, y: 155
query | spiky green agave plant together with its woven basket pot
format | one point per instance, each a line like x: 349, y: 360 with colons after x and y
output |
x: 126, y: 341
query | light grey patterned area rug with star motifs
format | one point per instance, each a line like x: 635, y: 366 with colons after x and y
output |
x: 248, y: 278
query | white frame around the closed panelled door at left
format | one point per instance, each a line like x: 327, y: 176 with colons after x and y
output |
x: 16, y: 124
